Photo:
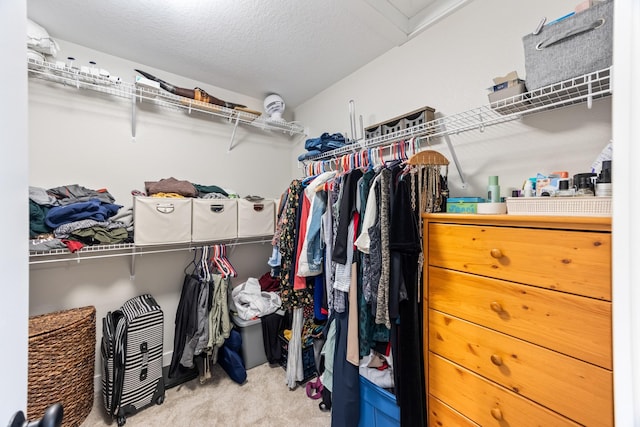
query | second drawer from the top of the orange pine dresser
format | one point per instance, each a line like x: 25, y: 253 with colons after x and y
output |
x: 573, y: 325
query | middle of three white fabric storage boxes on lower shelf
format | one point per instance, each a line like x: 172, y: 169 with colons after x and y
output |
x: 214, y: 219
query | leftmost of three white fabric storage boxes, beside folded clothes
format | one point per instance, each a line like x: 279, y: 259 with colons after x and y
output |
x: 158, y: 220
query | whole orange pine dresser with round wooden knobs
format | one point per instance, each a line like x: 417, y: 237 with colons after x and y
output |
x: 518, y: 320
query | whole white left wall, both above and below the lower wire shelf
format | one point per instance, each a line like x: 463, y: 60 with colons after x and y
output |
x: 81, y: 137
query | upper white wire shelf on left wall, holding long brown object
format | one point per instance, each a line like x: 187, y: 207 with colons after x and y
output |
x: 73, y: 77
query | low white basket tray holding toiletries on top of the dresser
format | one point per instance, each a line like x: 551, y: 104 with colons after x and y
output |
x: 560, y: 206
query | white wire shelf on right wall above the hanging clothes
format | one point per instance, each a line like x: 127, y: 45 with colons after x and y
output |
x: 578, y: 90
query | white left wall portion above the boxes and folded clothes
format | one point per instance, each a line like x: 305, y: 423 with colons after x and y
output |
x: 78, y: 136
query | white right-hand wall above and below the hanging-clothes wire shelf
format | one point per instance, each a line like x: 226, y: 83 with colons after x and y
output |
x: 448, y: 67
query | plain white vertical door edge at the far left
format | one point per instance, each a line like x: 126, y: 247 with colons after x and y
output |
x: 13, y: 169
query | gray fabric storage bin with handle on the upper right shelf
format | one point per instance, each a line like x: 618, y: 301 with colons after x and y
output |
x: 577, y: 45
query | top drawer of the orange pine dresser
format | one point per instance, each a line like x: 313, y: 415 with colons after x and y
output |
x: 569, y: 261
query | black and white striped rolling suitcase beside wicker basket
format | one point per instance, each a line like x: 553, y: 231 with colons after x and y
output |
x: 131, y: 352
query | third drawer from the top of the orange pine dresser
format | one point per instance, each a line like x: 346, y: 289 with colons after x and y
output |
x: 576, y: 389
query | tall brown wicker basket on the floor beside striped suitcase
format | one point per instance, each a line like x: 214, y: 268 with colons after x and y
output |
x: 62, y: 363
